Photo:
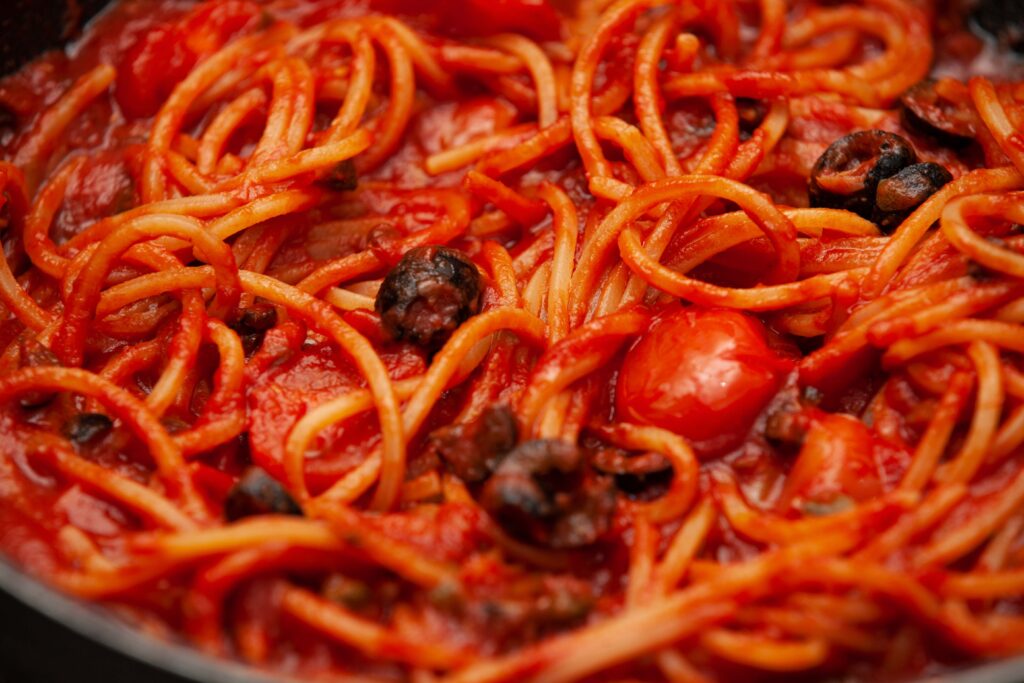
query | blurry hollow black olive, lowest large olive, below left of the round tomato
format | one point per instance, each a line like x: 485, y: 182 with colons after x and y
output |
x: 543, y: 493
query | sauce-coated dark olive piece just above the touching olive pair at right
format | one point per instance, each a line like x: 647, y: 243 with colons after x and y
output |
x: 928, y: 110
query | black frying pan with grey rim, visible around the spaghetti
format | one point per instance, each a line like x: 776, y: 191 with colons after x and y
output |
x: 47, y: 637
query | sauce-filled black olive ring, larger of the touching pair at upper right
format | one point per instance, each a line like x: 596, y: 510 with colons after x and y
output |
x: 849, y: 172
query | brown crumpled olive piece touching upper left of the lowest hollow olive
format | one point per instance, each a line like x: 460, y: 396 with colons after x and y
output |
x: 475, y: 450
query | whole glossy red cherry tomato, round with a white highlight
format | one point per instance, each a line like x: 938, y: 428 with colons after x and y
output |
x: 703, y: 374
